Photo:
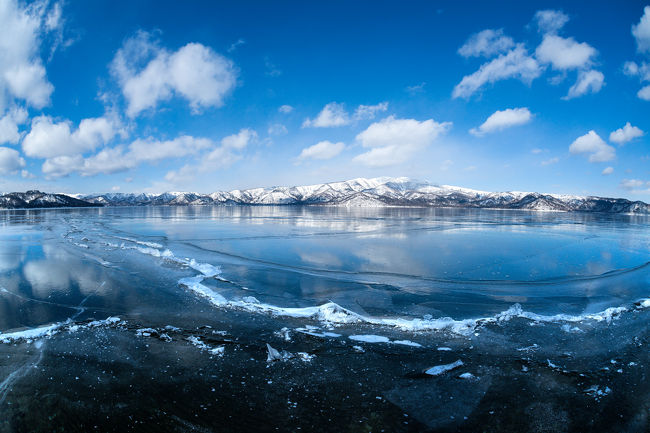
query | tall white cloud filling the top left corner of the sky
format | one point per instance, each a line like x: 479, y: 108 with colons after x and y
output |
x: 22, y: 74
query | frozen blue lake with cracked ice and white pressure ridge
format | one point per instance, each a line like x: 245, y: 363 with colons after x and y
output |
x: 161, y: 316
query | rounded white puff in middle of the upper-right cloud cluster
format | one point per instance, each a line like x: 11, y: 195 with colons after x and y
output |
x: 565, y: 53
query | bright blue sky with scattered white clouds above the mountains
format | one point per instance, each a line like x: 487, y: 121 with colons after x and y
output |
x: 157, y: 95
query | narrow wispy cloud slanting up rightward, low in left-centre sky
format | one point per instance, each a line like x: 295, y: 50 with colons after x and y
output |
x: 217, y: 158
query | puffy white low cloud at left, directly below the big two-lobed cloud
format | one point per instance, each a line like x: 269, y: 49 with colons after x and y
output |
x: 48, y: 139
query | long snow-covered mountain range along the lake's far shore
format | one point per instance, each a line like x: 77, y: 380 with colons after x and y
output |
x: 379, y: 192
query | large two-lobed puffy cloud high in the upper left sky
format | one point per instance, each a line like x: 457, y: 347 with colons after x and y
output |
x: 148, y: 74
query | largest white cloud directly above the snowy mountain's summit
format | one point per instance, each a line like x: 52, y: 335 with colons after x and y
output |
x: 393, y: 141
